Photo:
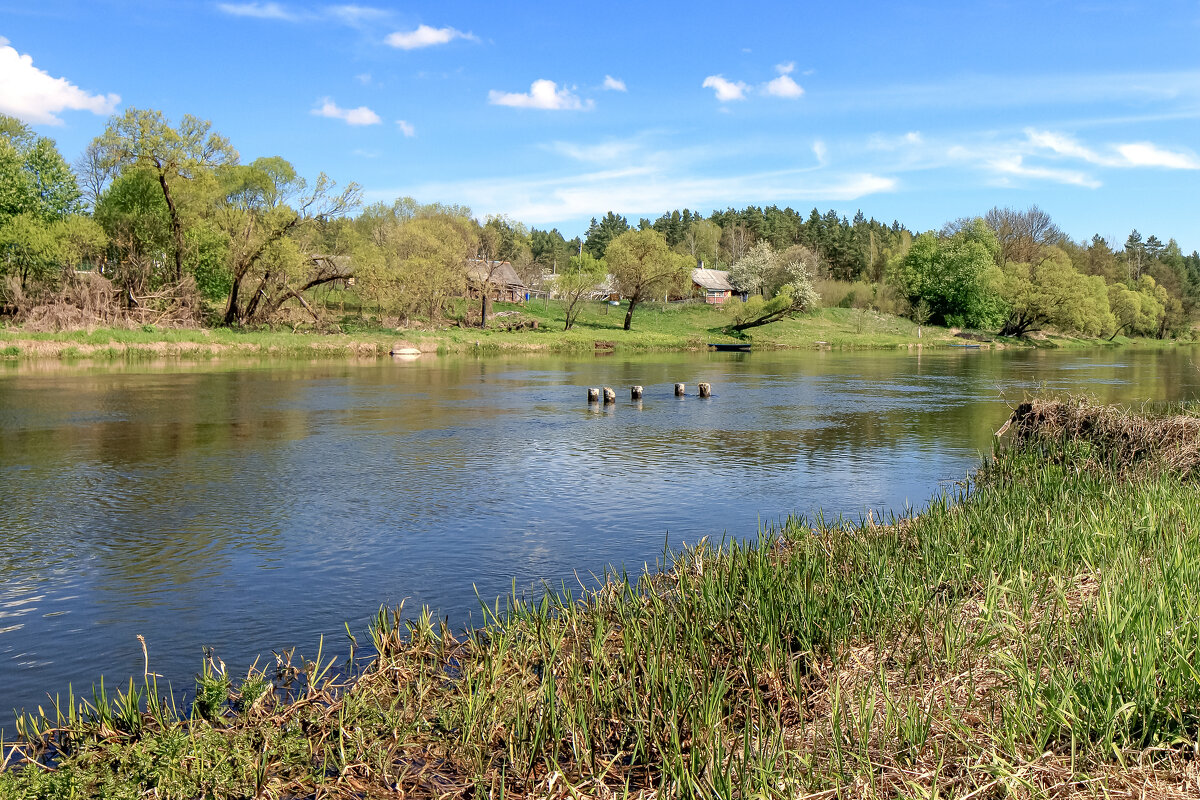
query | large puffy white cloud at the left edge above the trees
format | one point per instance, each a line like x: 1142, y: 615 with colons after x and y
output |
x: 32, y: 95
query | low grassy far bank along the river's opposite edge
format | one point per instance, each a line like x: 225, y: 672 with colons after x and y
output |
x: 657, y: 328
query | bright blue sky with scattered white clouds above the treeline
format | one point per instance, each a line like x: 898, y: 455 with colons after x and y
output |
x: 555, y: 113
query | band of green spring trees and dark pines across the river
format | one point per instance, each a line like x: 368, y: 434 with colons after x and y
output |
x: 161, y: 224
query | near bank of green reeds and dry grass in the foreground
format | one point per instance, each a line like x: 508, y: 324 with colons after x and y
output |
x: 1035, y: 634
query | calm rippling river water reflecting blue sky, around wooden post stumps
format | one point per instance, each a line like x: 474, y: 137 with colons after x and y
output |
x: 254, y: 508
